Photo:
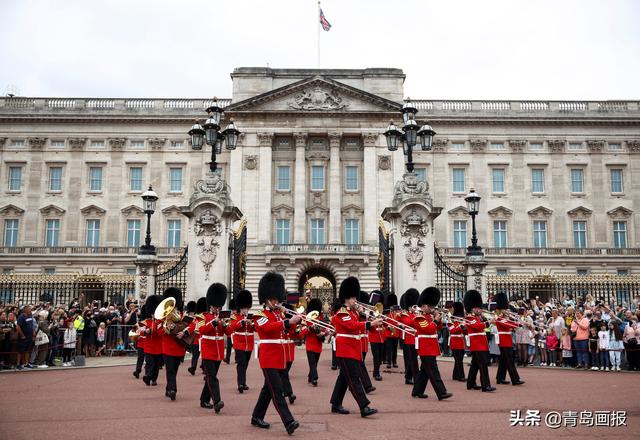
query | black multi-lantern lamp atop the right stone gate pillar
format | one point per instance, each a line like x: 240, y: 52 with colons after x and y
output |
x: 413, y: 134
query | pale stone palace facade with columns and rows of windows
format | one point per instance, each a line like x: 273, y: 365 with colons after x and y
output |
x: 559, y: 180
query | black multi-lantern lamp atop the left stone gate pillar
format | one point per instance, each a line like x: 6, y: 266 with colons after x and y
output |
x: 210, y: 133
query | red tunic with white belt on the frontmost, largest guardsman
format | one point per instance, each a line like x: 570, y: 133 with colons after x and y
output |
x: 270, y: 326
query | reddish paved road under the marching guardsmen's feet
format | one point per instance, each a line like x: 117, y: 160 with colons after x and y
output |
x: 108, y: 403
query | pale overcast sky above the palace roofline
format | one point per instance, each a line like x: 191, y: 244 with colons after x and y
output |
x: 448, y: 49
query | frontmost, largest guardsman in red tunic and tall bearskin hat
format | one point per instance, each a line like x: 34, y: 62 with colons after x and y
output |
x: 271, y: 327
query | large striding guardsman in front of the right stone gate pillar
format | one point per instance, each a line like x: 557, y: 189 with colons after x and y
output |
x: 427, y: 326
